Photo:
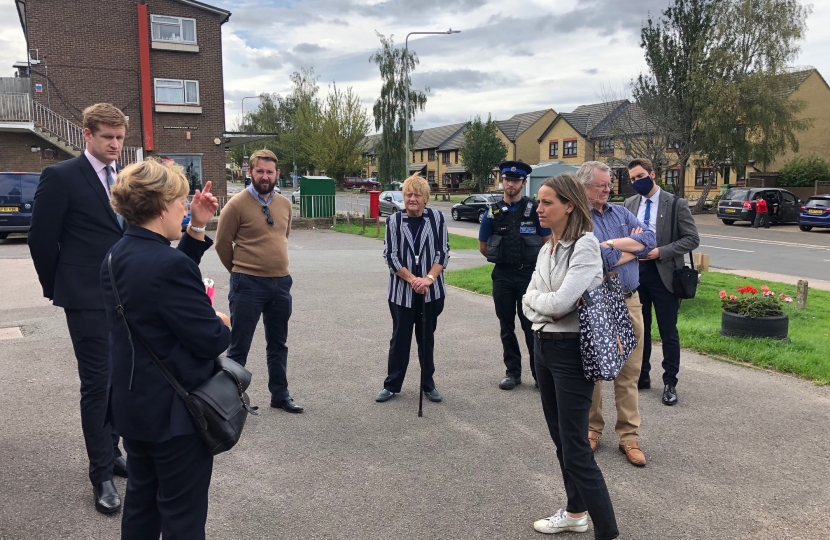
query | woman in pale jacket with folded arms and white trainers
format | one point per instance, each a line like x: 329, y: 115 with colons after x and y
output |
x: 568, y: 265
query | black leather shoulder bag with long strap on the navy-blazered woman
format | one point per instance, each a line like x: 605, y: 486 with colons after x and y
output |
x: 219, y: 406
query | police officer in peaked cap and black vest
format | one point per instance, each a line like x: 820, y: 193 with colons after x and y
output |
x: 511, y: 237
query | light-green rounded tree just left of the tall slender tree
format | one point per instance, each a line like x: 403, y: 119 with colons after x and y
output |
x: 343, y: 125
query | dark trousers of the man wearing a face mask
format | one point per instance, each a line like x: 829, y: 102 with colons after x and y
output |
x: 666, y: 305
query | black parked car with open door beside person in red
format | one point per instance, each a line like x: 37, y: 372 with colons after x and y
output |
x: 738, y: 204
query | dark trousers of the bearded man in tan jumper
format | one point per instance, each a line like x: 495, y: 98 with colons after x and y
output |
x: 250, y: 297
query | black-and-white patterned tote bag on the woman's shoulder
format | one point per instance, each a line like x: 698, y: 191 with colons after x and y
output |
x: 606, y: 335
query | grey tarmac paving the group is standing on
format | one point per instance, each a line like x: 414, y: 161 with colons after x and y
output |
x: 744, y: 455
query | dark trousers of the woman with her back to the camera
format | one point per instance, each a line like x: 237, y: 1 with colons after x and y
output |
x: 167, y: 489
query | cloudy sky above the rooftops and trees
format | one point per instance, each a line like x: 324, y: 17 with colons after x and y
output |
x: 511, y: 56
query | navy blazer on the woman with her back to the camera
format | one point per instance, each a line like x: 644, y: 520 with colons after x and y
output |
x: 162, y: 292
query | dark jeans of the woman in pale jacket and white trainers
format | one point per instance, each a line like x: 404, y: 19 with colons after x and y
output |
x: 566, y: 400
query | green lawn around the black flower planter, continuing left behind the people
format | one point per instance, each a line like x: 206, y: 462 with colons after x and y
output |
x: 806, y: 353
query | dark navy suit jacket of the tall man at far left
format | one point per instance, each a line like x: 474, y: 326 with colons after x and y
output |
x: 73, y: 227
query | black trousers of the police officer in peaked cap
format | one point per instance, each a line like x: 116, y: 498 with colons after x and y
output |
x: 509, y: 286
